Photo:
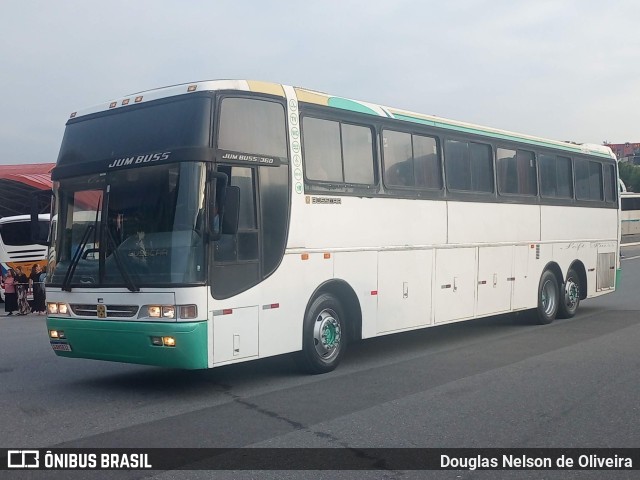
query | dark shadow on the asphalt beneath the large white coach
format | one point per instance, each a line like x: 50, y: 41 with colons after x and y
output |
x: 163, y: 382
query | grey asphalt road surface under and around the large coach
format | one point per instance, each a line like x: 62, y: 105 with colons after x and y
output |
x: 496, y: 382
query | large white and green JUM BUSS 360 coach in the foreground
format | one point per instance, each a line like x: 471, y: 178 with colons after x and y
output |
x: 217, y: 222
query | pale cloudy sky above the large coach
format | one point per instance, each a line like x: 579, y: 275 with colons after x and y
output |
x: 560, y: 69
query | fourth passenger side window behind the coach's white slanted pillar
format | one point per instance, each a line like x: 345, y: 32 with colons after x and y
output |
x: 517, y: 172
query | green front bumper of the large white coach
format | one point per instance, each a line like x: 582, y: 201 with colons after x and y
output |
x: 175, y: 345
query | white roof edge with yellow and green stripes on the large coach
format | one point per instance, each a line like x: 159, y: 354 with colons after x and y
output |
x: 320, y: 98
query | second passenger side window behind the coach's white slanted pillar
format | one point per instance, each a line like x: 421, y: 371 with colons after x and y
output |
x: 411, y: 160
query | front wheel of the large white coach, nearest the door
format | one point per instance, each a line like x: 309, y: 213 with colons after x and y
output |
x: 325, y: 337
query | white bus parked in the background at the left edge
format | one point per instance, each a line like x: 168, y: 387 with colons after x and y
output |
x: 17, y: 247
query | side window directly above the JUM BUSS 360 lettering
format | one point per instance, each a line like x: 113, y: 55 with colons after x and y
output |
x: 252, y: 126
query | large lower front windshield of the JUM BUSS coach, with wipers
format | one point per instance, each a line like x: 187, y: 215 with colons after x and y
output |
x: 136, y: 227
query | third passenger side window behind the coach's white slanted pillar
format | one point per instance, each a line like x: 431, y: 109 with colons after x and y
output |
x: 469, y: 166
